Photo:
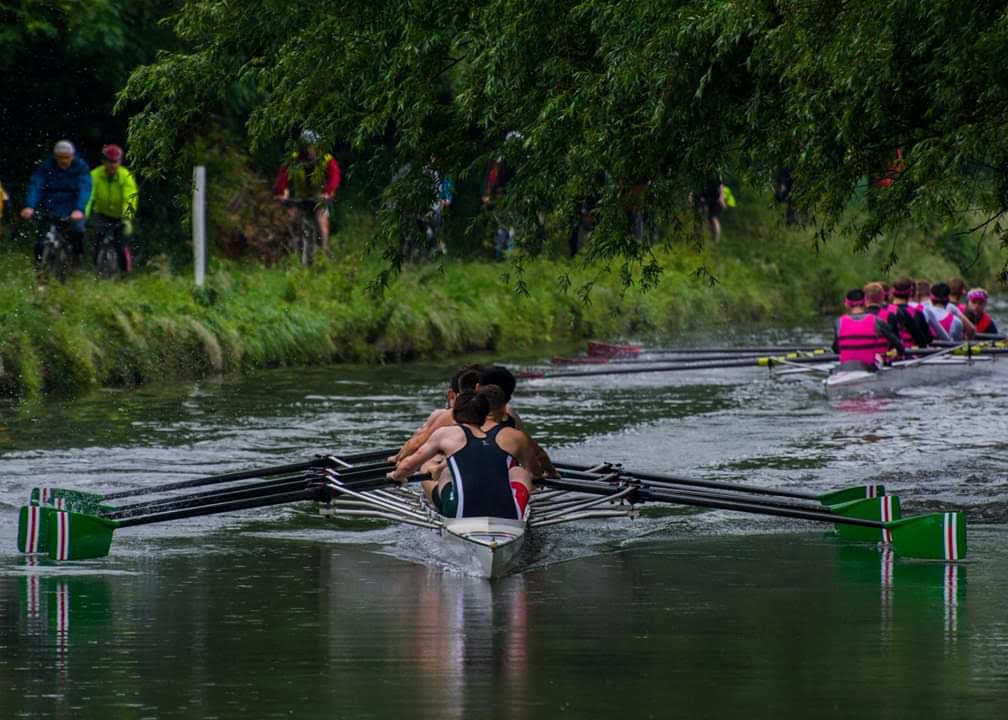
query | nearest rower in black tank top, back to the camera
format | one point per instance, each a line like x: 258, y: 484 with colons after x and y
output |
x: 479, y: 464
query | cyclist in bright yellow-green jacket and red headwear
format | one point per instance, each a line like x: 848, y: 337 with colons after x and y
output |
x: 113, y: 202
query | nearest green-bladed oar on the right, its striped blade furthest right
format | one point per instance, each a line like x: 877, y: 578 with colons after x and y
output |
x: 940, y: 536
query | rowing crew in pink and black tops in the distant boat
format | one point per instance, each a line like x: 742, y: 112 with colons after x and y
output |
x: 917, y: 316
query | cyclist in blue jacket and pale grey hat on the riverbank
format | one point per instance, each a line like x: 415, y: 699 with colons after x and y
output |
x: 61, y: 187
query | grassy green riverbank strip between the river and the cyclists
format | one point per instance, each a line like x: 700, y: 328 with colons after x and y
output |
x: 67, y: 339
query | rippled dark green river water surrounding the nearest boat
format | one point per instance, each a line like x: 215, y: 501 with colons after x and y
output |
x: 276, y: 614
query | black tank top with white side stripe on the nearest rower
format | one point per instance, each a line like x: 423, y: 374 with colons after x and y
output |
x: 480, y: 478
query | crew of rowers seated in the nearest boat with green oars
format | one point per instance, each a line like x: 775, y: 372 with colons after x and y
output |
x: 481, y: 461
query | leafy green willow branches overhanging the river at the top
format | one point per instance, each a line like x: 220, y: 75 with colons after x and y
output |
x: 656, y: 96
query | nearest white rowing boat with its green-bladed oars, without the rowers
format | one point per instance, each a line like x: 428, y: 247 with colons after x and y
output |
x: 74, y: 525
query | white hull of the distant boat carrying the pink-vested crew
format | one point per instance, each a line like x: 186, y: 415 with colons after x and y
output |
x: 839, y: 384
